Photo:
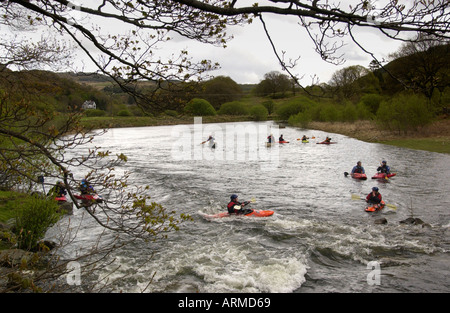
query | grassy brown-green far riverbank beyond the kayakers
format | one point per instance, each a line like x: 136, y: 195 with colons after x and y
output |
x: 434, y: 137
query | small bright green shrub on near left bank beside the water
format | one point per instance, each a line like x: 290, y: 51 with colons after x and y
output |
x: 34, y: 216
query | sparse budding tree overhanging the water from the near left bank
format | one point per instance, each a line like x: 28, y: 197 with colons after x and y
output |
x: 33, y: 141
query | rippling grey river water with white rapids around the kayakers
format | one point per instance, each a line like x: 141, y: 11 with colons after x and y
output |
x: 318, y: 240
